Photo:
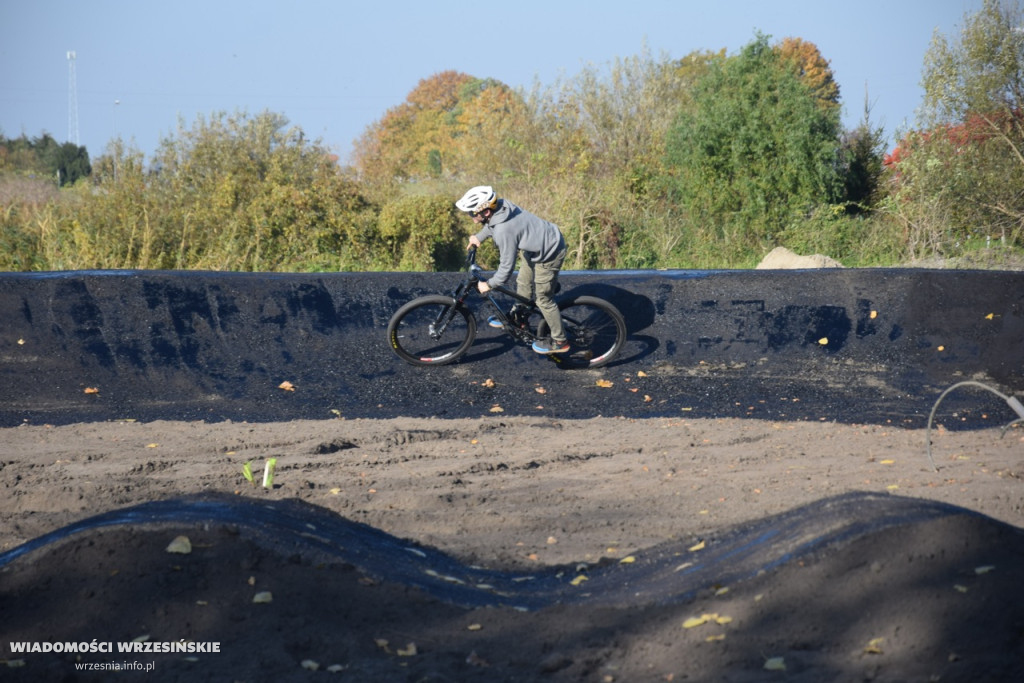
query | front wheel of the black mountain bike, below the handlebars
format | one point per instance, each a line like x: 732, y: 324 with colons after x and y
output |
x: 432, y: 331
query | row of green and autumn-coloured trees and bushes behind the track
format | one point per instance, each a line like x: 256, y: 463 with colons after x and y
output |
x: 705, y: 162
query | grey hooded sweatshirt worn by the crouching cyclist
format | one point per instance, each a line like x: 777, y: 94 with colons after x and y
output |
x: 516, y: 230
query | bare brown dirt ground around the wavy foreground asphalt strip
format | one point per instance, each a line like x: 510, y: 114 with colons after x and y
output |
x: 941, y: 600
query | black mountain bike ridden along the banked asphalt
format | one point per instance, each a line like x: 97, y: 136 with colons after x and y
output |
x: 437, y: 330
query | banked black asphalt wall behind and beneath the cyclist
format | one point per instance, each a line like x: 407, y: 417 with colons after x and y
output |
x: 866, y: 347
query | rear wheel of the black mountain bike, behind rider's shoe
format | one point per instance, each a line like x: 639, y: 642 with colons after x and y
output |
x: 595, y: 330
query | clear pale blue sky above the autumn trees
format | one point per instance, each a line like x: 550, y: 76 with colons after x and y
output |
x: 333, y: 68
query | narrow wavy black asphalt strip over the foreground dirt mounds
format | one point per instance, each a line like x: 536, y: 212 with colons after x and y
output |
x: 664, y: 575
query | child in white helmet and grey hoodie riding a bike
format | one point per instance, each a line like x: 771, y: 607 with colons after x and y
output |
x: 542, y: 246
